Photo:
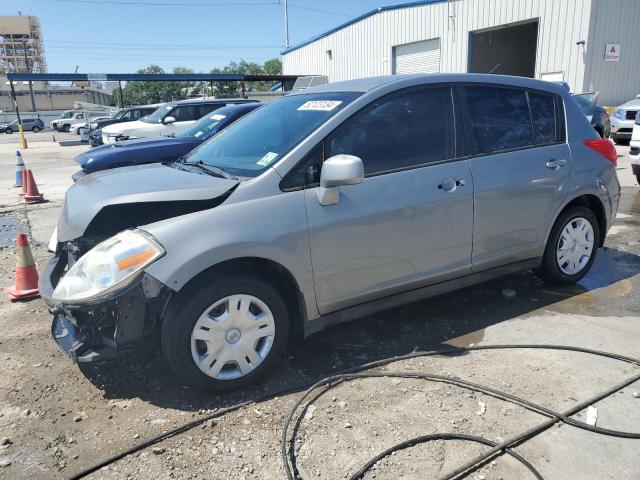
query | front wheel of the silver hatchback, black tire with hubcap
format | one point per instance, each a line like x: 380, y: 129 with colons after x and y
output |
x: 229, y: 342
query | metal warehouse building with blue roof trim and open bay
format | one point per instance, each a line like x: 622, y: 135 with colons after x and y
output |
x: 593, y: 45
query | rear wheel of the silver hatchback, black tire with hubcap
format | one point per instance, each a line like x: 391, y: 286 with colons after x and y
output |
x: 566, y: 273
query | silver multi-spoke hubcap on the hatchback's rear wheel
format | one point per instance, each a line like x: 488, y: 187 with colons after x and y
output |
x: 575, y: 246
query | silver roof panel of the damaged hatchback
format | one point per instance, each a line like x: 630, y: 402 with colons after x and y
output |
x: 368, y: 84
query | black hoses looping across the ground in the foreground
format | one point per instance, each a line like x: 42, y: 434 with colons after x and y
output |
x: 288, y: 454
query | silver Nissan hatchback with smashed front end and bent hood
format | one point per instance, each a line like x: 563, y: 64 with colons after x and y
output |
x: 323, y: 206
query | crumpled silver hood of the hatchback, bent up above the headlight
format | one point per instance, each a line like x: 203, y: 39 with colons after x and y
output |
x: 131, y: 185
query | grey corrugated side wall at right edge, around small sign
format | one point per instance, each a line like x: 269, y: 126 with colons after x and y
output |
x: 614, y: 21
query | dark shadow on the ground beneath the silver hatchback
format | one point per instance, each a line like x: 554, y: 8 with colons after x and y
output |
x: 429, y: 324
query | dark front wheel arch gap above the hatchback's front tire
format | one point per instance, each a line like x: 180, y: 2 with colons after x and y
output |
x: 268, y: 270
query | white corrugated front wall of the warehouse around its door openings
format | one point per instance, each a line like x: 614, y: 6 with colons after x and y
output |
x: 364, y: 48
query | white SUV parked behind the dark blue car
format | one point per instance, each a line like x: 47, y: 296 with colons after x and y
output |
x: 170, y: 118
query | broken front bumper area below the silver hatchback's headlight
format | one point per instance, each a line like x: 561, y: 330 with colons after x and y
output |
x: 99, y: 330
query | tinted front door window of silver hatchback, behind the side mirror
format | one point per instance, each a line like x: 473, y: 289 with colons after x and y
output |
x: 404, y: 130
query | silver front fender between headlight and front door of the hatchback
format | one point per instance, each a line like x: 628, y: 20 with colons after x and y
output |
x: 272, y: 228
